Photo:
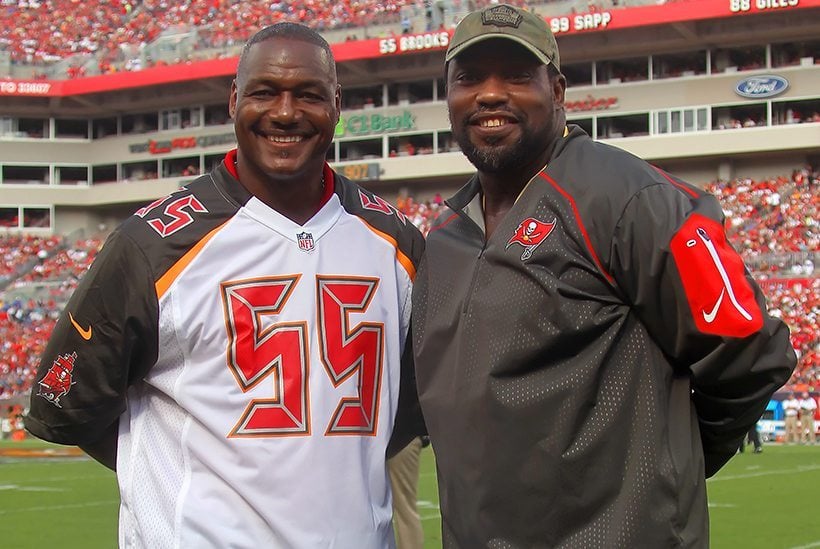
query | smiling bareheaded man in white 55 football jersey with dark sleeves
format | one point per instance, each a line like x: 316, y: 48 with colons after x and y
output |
x: 238, y: 349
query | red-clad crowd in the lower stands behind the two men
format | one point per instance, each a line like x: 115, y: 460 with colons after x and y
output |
x: 773, y: 222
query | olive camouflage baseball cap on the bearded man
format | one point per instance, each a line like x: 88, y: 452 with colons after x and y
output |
x: 504, y: 21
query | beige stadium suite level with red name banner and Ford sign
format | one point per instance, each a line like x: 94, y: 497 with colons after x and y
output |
x: 705, y: 88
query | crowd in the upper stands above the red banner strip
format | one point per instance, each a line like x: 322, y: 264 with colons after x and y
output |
x: 42, y: 32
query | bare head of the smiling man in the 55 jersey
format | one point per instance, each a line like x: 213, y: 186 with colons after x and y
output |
x: 285, y: 103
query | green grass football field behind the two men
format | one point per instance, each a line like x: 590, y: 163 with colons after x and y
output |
x: 758, y: 501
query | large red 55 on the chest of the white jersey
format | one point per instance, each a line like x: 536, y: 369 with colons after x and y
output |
x: 280, y: 350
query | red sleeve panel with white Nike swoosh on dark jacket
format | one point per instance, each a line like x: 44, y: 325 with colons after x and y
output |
x: 720, y: 297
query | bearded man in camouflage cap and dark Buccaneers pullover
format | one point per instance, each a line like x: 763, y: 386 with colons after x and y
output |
x: 589, y: 348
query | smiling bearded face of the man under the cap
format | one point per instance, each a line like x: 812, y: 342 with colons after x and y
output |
x: 505, y: 108
